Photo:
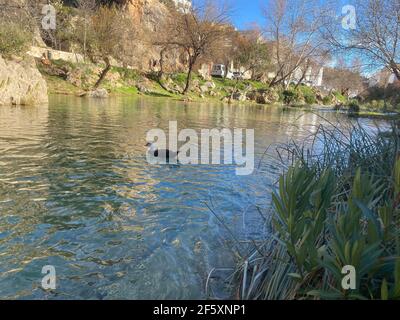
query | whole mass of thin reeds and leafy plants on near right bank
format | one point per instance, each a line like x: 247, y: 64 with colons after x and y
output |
x: 338, y: 204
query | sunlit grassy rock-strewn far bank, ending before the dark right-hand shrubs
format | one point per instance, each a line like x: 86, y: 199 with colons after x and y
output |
x: 69, y: 78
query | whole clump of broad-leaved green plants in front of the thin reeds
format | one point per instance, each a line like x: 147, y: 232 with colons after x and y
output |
x: 323, y: 232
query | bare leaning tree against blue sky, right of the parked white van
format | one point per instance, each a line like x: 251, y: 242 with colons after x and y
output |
x: 293, y: 27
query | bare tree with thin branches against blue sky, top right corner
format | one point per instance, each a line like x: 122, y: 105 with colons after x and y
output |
x: 376, y: 36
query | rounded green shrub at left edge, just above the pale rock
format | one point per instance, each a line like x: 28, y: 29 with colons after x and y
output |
x: 13, y: 39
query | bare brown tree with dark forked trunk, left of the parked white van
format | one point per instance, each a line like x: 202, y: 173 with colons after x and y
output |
x: 195, y: 31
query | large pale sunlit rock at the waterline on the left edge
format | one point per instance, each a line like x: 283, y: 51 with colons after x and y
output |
x: 21, y: 83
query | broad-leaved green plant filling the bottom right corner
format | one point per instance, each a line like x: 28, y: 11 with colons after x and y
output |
x: 363, y: 234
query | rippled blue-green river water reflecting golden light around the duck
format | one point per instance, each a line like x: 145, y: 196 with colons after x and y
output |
x: 77, y: 193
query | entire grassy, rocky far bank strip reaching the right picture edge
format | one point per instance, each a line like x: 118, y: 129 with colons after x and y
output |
x: 68, y: 78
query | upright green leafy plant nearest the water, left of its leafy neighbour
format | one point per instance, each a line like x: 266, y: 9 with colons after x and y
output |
x: 301, y: 210
